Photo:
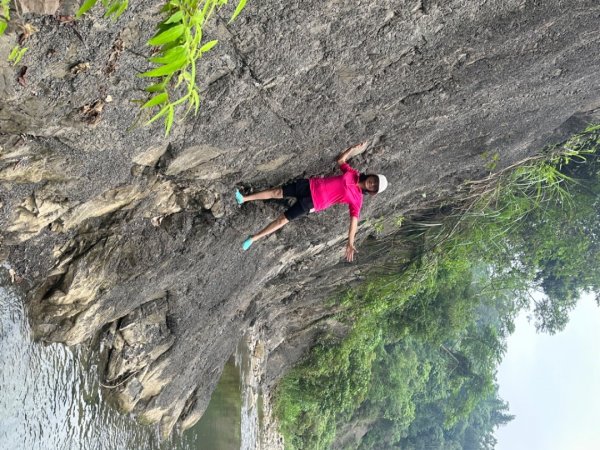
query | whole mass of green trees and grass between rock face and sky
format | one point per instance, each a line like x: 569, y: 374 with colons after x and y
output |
x: 417, y: 369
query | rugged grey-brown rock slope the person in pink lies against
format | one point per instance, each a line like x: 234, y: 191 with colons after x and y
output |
x: 120, y: 232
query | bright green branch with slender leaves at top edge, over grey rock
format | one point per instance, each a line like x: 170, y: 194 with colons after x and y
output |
x: 180, y: 42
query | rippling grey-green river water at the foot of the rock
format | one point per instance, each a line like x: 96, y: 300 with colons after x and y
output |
x: 50, y: 399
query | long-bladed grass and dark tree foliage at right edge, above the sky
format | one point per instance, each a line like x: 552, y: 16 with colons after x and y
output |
x: 537, y: 228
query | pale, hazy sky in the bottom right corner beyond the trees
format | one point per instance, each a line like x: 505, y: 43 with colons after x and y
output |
x: 552, y: 384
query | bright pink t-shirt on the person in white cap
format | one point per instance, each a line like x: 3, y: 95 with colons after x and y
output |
x: 341, y: 189
